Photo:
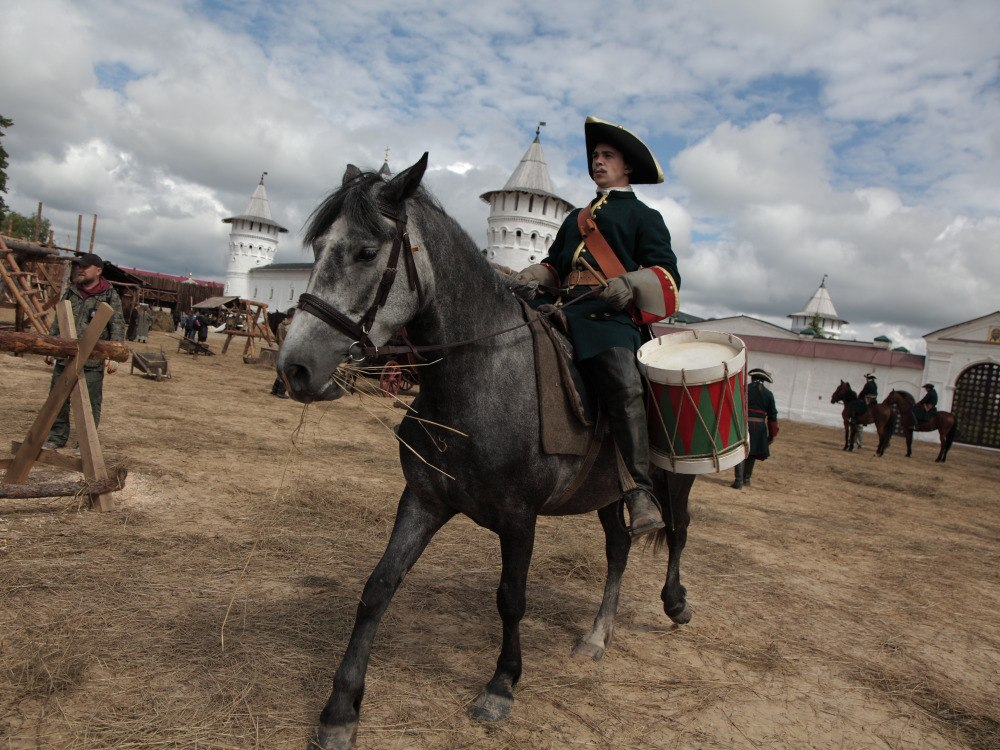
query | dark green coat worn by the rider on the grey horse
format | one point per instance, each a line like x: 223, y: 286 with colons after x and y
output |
x: 640, y: 239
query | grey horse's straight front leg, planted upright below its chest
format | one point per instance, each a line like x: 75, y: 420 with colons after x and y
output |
x: 517, y: 540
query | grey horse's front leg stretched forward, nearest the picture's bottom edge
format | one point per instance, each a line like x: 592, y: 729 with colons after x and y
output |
x: 416, y: 523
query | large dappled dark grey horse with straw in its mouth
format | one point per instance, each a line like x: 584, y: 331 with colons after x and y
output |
x: 484, y: 386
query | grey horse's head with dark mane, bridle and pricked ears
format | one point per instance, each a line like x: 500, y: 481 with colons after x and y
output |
x: 366, y: 282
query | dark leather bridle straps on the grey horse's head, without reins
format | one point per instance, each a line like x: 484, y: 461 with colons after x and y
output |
x: 363, y: 346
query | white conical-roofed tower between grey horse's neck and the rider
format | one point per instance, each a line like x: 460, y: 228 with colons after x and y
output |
x: 525, y: 214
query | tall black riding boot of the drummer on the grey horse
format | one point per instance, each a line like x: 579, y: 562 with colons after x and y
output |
x: 619, y: 386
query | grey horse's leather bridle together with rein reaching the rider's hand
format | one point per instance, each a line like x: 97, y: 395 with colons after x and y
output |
x: 363, y: 347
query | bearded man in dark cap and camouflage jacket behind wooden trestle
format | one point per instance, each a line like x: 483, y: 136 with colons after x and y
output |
x: 88, y: 290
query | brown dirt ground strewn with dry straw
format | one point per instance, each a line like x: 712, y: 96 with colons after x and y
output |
x: 843, y: 601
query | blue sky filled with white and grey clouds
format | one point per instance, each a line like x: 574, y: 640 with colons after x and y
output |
x: 854, y: 138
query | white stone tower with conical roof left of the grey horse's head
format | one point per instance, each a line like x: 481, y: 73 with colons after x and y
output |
x: 253, y: 241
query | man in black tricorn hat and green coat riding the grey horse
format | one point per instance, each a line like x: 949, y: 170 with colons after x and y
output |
x: 636, y: 271
